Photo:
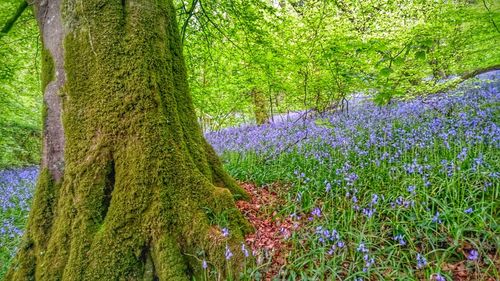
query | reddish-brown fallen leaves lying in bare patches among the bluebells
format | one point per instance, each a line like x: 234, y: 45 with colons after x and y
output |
x: 270, y: 246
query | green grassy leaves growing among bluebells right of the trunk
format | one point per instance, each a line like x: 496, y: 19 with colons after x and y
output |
x: 444, y: 241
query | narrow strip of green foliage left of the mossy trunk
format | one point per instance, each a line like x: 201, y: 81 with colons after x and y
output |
x: 20, y: 96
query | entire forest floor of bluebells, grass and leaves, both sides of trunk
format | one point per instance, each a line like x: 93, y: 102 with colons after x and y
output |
x: 408, y: 191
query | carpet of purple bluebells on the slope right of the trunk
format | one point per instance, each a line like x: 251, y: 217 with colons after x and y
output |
x: 414, y: 167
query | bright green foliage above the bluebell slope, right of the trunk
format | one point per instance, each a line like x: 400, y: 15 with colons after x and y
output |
x: 311, y: 54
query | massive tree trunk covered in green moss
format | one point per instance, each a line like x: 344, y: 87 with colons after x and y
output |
x: 129, y: 188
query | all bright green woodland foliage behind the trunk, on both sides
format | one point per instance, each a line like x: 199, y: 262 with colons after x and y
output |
x: 249, y: 60
